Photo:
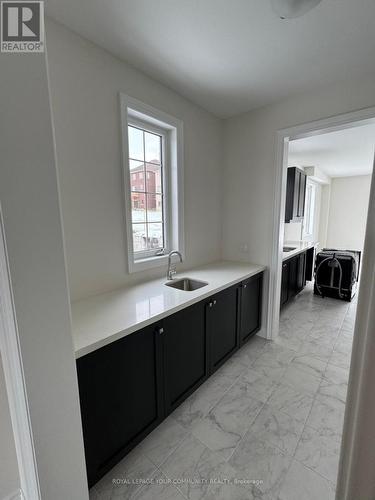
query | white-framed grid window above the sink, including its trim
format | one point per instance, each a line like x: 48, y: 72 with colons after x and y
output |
x: 152, y: 144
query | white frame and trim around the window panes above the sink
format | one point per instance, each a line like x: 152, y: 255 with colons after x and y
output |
x: 134, y: 112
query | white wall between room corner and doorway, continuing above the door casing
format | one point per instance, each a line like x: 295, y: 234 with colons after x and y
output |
x: 249, y: 171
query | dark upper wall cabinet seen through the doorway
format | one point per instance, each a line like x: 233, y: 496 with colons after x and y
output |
x: 295, y: 195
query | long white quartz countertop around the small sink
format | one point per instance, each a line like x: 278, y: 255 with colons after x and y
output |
x: 102, y: 319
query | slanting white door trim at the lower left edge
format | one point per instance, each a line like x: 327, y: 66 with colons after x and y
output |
x: 15, y: 384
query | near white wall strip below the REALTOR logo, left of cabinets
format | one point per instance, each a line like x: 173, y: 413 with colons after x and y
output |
x: 33, y: 234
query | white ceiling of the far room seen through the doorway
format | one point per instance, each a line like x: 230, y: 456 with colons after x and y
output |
x: 338, y: 154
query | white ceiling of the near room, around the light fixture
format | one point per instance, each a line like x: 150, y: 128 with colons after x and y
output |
x: 229, y: 56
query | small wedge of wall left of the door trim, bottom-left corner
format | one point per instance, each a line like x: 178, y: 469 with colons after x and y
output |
x: 9, y: 477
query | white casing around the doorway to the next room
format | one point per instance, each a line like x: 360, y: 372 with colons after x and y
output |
x: 339, y: 122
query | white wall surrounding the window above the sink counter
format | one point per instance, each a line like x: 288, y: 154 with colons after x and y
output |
x: 85, y: 82
